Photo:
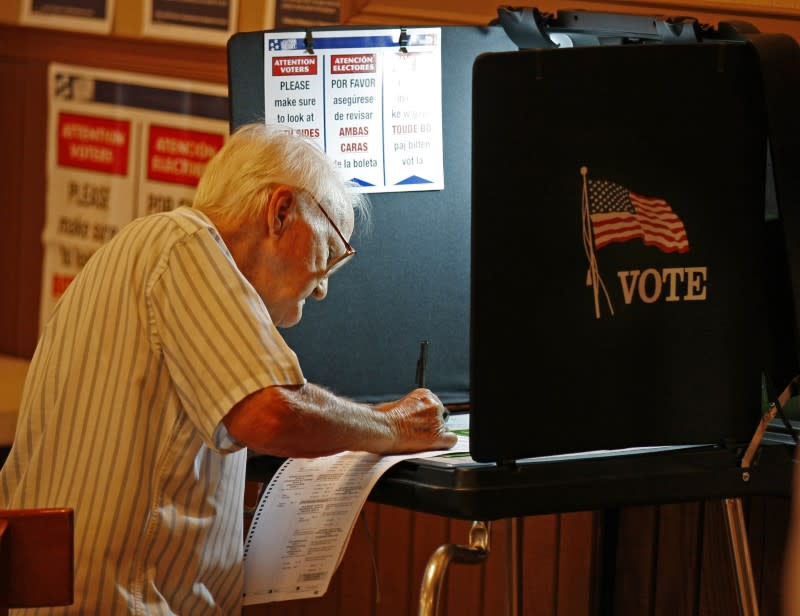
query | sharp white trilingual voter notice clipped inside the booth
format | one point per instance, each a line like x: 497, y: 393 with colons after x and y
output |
x: 371, y: 100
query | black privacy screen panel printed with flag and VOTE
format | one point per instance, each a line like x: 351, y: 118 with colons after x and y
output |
x: 629, y: 202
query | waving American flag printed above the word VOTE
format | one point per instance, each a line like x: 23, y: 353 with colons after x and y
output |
x: 620, y: 215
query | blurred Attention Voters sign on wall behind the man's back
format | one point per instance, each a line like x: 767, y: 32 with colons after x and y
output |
x: 120, y: 145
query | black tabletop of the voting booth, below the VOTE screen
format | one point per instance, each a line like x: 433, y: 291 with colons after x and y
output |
x: 460, y: 488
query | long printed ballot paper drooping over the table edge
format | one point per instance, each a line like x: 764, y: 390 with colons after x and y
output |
x: 303, y: 522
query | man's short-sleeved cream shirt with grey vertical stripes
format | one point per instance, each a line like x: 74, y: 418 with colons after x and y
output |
x: 147, y: 350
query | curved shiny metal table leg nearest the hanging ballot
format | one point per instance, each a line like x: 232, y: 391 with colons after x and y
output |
x: 433, y: 578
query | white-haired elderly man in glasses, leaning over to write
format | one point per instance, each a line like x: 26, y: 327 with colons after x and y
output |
x: 162, y: 364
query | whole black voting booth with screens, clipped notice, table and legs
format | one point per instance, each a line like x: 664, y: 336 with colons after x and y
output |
x: 575, y: 239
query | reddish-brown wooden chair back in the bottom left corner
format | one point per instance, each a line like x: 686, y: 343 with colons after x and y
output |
x: 36, y: 558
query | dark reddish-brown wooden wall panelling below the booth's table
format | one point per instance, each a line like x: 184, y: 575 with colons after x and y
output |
x: 671, y: 560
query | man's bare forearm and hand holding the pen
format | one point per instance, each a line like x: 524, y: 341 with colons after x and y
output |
x: 307, y: 421
